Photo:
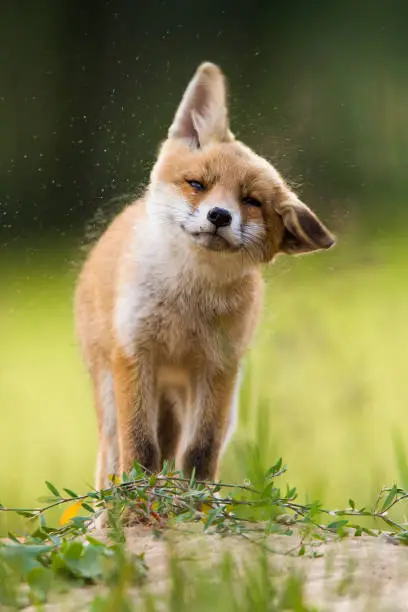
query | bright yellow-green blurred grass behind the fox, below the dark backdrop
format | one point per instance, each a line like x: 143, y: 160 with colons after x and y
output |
x: 325, y: 381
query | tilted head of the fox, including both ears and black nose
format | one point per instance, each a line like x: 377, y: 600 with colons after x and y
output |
x: 216, y: 195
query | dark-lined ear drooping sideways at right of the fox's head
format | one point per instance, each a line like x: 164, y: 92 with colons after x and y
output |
x: 303, y: 230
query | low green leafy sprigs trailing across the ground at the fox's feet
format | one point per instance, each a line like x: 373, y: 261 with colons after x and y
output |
x: 69, y: 551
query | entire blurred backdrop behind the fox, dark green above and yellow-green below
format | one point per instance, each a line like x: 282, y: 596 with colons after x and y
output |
x: 321, y: 89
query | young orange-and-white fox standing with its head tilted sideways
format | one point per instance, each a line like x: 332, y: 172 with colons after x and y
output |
x: 169, y: 297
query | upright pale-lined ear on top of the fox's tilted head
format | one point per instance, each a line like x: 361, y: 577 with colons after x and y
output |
x: 202, y: 116
